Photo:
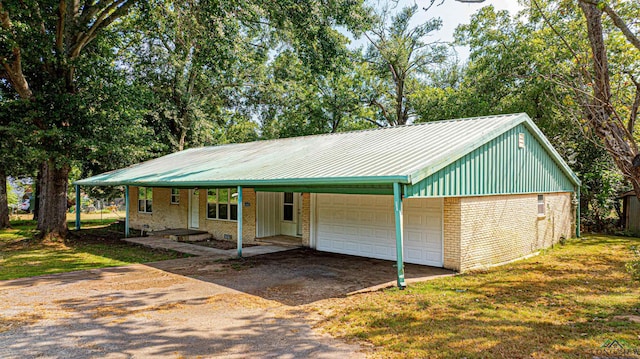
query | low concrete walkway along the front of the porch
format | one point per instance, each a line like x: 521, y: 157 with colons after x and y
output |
x: 195, y: 250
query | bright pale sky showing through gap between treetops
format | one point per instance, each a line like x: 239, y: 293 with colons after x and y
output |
x: 452, y: 13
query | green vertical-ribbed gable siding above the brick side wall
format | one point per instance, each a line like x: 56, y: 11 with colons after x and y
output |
x: 497, y: 167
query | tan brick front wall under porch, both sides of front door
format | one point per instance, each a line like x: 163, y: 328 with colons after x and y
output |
x: 166, y: 215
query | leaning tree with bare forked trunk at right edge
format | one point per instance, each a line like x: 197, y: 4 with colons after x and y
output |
x: 610, y: 116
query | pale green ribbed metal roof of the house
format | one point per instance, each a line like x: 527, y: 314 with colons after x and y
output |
x: 404, y: 154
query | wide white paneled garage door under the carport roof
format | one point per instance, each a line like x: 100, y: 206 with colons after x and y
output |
x: 364, y: 225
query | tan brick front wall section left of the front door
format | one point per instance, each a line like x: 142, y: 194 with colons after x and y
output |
x: 165, y: 215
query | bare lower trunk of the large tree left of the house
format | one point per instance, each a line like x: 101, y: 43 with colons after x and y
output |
x: 52, y: 211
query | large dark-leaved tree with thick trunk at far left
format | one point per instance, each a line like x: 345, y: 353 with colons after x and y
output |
x: 45, y: 46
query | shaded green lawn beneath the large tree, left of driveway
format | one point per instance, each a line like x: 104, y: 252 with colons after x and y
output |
x: 96, y: 246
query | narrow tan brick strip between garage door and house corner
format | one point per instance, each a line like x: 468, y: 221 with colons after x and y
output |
x: 451, y: 233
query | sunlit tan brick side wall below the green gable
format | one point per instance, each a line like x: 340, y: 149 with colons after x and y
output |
x: 496, y: 229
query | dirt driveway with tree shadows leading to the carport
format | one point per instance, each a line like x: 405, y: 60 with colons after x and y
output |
x: 191, y: 307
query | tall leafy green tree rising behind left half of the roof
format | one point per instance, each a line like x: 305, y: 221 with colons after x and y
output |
x: 206, y: 63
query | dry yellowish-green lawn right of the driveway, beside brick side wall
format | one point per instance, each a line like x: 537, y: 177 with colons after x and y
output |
x: 565, y: 303
